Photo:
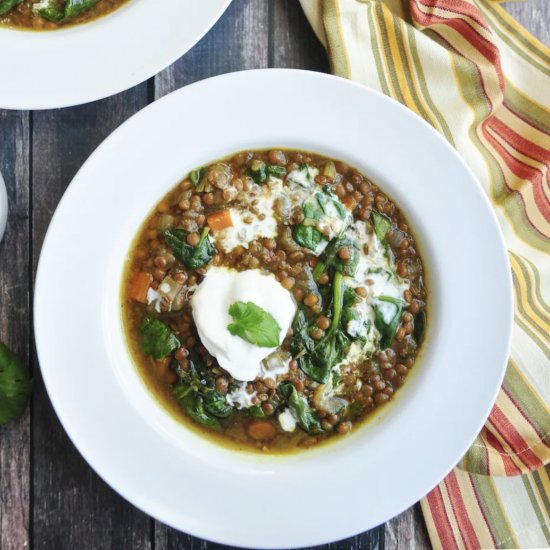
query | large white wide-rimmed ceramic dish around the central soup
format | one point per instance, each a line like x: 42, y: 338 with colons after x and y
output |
x: 316, y: 496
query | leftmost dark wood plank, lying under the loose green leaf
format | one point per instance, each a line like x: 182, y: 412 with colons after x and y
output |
x: 15, y: 468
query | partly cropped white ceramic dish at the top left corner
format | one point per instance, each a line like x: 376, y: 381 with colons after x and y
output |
x: 83, y: 63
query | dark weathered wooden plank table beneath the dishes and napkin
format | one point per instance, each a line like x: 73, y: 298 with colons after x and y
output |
x: 49, y: 496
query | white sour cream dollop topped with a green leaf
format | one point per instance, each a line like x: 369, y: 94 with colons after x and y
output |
x: 220, y: 289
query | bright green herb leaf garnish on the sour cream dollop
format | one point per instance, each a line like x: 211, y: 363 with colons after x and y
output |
x: 254, y: 324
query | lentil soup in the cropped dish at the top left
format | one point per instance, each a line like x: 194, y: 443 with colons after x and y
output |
x: 45, y: 15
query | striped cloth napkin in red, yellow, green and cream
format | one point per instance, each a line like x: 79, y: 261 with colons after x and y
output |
x: 483, y: 82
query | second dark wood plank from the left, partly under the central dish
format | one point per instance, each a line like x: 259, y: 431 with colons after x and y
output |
x: 73, y: 507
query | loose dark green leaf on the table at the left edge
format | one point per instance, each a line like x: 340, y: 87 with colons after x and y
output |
x: 15, y: 386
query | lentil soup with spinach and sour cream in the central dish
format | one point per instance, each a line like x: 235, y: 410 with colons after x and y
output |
x: 274, y: 299
